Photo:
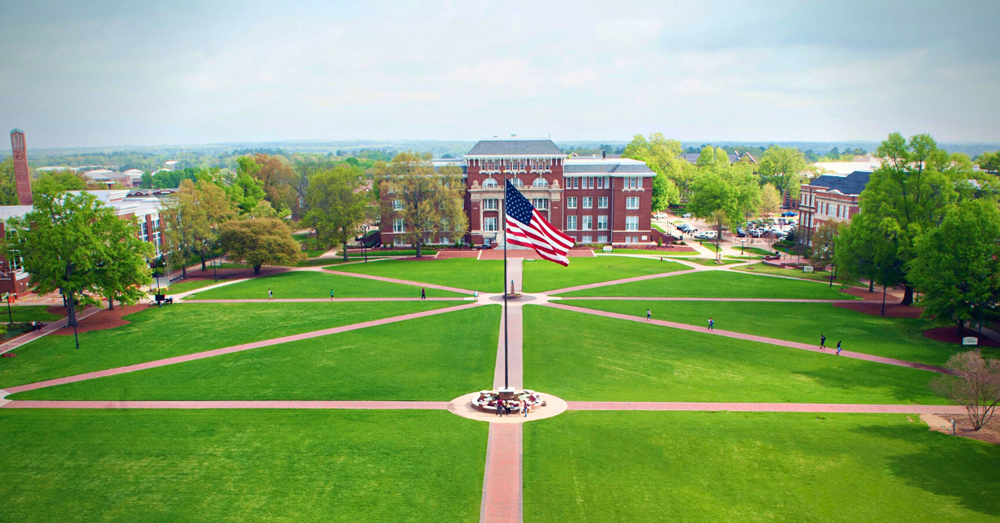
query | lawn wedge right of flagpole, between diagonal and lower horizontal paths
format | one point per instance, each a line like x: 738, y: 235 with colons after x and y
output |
x: 584, y: 357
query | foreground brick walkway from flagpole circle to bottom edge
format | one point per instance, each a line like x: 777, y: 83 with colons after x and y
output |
x: 502, y: 500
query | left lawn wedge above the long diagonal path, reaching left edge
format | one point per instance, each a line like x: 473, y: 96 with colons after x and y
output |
x: 184, y: 328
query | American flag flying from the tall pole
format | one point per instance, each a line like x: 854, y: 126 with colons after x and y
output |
x: 527, y: 228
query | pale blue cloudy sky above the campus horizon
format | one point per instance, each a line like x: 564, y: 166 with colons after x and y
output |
x: 77, y: 74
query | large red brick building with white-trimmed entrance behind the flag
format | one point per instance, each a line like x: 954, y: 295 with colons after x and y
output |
x: 593, y: 200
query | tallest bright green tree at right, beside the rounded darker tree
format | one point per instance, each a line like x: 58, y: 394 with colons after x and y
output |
x: 907, y: 196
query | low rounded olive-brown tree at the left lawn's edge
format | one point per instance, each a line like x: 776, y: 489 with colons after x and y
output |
x: 260, y: 241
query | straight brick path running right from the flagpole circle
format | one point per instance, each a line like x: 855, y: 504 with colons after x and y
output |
x: 767, y: 407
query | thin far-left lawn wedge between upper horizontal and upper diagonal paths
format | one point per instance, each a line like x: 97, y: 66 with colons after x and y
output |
x: 308, y: 284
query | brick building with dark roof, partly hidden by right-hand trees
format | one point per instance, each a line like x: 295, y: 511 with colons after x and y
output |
x: 830, y: 198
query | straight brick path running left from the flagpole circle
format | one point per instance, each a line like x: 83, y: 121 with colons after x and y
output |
x: 268, y: 404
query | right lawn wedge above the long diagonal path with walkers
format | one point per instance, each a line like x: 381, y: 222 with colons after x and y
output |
x: 900, y: 338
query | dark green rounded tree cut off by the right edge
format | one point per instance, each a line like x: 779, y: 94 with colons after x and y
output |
x: 957, y: 265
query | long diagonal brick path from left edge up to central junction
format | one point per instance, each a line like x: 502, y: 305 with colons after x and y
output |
x: 235, y: 348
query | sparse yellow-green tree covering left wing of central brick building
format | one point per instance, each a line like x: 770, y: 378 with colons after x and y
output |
x: 429, y: 202
